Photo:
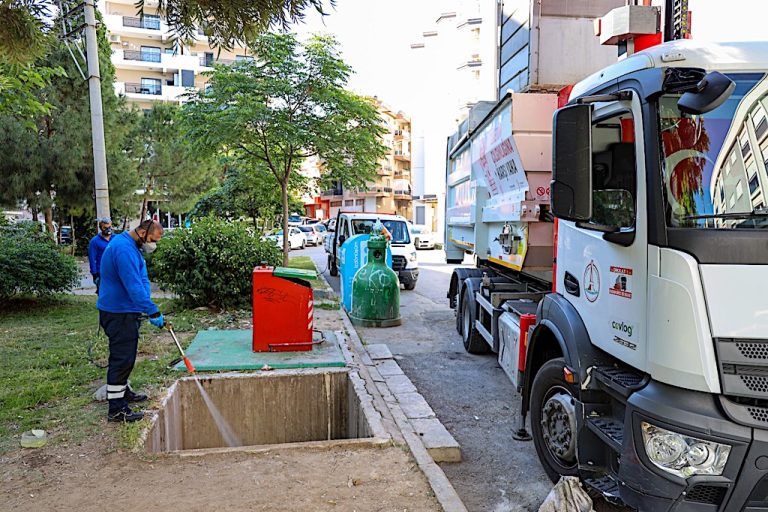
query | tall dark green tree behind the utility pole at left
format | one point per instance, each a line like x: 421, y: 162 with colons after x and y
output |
x: 48, y: 158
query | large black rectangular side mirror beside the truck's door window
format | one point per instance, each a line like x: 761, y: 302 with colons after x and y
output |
x: 571, y: 184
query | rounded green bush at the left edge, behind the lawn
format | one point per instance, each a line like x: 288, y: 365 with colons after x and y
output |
x: 30, y: 262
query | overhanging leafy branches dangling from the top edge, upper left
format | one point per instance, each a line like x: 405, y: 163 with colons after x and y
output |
x: 225, y: 22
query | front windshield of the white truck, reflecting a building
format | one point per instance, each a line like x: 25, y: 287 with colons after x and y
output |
x: 714, y: 165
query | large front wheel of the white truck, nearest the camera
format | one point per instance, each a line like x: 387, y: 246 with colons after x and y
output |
x: 553, y: 421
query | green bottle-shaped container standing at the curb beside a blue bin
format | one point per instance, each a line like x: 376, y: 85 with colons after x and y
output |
x: 375, y: 289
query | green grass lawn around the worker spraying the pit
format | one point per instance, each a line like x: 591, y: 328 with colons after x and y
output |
x: 47, y: 379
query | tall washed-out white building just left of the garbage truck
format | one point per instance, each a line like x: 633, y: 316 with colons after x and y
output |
x: 458, y: 57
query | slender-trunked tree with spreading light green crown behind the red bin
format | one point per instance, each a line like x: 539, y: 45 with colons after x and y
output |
x: 285, y: 106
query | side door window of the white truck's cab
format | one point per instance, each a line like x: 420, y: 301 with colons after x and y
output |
x: 613, y: 172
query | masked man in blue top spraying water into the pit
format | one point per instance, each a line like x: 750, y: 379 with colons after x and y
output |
x: 124, y: 298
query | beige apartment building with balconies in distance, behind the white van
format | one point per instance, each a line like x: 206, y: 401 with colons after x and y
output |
x: 390, y: 191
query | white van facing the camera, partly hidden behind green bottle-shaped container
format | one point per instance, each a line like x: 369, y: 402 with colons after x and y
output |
x: 357, y: 223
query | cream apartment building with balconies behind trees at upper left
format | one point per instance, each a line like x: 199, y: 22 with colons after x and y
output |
x: 150, y: 64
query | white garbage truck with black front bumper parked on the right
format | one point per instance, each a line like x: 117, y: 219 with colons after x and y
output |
x: 620, y: 235
